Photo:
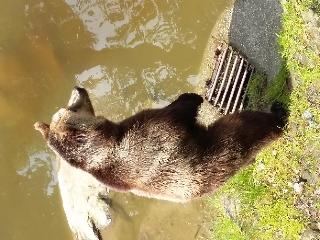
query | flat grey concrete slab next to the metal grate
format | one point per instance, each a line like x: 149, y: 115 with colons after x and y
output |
x: 254, y: 30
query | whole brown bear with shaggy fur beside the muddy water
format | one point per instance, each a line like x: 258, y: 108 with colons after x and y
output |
x: 160, y: 153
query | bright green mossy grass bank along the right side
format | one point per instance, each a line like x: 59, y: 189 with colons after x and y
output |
x: 267, y: 204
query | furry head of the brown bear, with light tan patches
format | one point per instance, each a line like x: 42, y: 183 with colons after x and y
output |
x: 73, y: 128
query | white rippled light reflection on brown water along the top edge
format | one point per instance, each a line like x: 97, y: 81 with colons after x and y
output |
x: 129, y: 23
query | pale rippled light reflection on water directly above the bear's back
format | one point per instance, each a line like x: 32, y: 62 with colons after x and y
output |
x: 124, y: 89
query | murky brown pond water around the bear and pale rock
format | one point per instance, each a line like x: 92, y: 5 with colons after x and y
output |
x: 130, y: 55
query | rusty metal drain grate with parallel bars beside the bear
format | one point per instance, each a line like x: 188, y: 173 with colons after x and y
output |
x: 229, y: 81
